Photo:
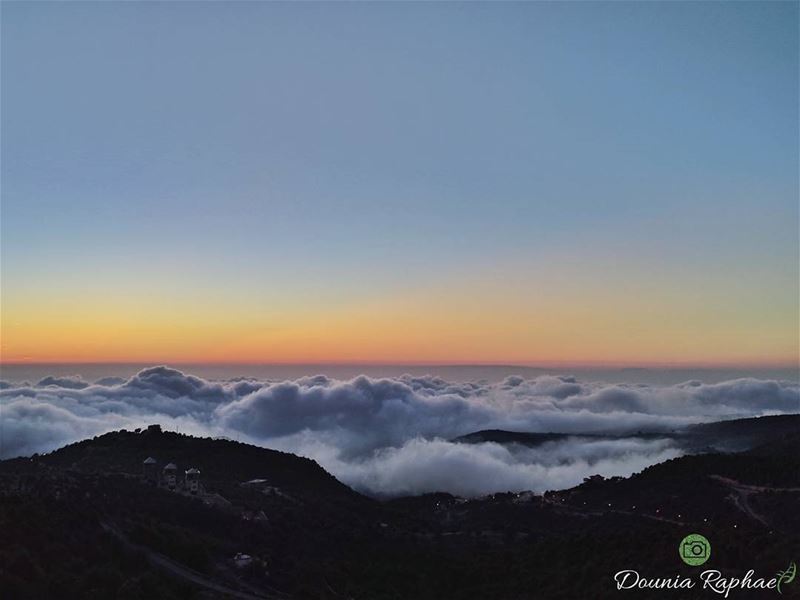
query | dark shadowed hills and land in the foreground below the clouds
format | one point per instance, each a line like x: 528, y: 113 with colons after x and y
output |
x: 85, y: 522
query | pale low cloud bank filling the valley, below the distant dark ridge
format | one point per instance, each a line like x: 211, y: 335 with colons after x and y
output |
x: 428, y: 465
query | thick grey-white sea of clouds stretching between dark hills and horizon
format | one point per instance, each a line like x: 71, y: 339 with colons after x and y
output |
x: 391, y: 436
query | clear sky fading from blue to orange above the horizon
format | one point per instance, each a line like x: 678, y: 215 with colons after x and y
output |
x: 485, y: 183
